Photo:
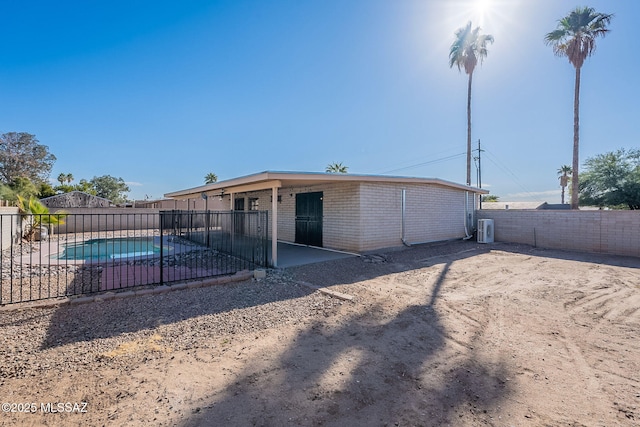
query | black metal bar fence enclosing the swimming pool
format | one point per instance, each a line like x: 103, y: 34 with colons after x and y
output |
x: 88, y: 253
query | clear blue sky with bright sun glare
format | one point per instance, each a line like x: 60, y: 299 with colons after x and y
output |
x: 160, y: 93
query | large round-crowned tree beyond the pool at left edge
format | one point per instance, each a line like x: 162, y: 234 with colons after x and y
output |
x: 21, y: 155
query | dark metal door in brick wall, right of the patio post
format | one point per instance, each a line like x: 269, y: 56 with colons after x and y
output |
x: 309, y: 218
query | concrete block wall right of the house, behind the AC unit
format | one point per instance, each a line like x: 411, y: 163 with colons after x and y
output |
x: 608, y: 232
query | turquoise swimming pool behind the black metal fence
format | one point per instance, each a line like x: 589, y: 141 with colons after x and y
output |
x: 112, y: 249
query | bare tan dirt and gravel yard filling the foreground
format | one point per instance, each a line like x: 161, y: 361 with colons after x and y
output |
x: 457, y: 334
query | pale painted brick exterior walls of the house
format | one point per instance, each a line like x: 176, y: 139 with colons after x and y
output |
x: 360, y: 217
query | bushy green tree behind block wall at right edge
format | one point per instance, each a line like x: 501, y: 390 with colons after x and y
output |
x: 612, y: 180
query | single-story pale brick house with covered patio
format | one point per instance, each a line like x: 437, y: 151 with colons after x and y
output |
x: 349, y: 212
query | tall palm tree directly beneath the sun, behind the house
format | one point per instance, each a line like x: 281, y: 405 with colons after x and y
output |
x: 468, y: 48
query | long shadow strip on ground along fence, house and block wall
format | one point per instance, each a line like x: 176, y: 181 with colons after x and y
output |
x: 86, y: 322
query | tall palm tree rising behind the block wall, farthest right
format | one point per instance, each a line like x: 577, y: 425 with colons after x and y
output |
x: 575, y: 38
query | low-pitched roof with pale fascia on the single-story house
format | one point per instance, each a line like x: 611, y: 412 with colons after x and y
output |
x: 272, y: 179
